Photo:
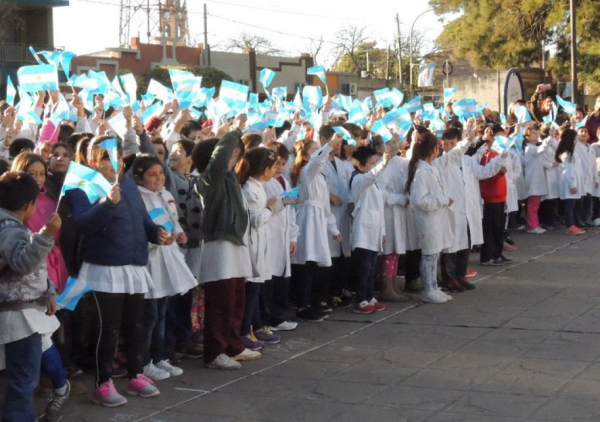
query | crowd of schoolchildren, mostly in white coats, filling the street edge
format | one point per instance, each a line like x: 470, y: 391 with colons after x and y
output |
x: 209, y: 233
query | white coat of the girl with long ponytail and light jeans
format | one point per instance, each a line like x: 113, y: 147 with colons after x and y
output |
x: 429, y: 200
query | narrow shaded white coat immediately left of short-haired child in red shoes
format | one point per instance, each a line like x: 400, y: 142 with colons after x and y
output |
x: 337, y: 183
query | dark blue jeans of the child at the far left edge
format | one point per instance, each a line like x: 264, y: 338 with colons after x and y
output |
x: 23, y: 361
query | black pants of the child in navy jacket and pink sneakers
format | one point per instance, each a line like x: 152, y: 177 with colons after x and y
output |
x: 120, y: 311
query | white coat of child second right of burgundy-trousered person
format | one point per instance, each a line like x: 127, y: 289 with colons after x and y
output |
x: 282, y: 231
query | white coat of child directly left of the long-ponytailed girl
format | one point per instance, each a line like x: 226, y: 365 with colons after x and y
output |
x: 395, y: 198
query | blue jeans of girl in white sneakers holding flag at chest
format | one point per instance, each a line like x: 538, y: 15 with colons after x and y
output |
x: 155, y: 311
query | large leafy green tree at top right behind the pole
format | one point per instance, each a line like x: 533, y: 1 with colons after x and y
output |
x: 500, y: 34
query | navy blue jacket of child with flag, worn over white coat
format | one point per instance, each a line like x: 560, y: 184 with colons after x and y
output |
x: 114, y: 235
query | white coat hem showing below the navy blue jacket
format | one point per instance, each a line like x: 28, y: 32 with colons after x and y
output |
x: 130, y: 279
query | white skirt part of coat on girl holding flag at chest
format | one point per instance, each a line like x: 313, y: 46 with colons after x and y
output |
x: 169, y: 272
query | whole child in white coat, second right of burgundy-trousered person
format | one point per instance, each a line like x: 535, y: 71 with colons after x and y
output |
x: 283, y: 235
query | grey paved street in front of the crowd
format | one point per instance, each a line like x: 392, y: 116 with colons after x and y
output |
x: 523, y: 346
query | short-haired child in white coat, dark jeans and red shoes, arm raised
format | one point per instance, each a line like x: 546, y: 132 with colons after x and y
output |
x: 368, y: 226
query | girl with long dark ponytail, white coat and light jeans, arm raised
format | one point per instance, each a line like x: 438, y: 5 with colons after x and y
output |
x: 431, y: 204
